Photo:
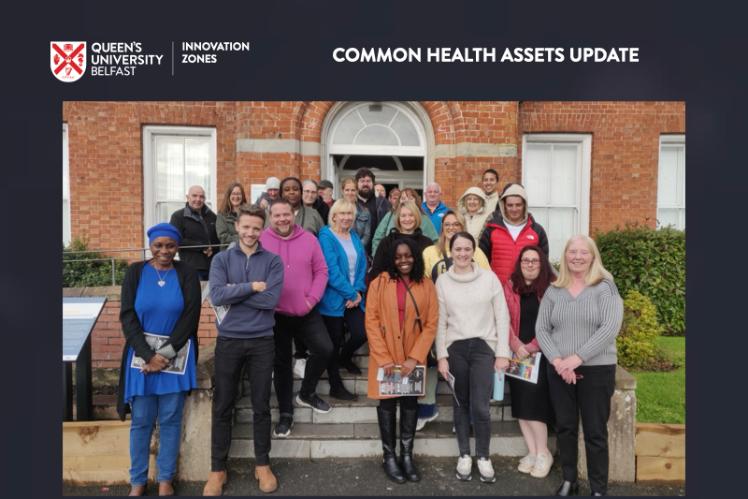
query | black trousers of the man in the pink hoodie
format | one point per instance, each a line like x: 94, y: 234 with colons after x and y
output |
x: 313, y: 333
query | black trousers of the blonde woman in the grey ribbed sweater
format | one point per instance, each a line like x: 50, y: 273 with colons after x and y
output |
x: 590, y: 396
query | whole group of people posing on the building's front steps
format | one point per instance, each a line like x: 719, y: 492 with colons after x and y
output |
x: 462, y: 292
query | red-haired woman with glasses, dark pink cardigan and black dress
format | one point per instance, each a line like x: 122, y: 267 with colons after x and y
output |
x: 531, y: 403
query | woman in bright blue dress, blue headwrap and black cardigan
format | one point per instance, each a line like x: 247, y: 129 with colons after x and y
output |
x: 160, y: 311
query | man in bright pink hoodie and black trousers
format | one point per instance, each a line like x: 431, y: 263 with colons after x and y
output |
x: 304, y: 282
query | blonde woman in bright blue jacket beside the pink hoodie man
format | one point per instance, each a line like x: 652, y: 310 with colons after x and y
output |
x: 343, y: 301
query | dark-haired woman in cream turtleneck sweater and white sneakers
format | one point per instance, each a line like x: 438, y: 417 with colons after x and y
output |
x: 472, y: 342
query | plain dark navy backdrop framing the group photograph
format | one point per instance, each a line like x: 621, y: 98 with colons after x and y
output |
x: 688, y: 52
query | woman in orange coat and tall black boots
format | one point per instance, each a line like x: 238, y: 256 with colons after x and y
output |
x: 401, y: 321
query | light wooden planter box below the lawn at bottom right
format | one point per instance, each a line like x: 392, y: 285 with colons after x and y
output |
x: 661, y: 452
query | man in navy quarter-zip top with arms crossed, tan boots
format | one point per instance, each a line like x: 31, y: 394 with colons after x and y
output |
x: 245, y: 282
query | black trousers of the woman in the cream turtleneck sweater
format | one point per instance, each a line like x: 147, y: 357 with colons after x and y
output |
x: 471, y: 363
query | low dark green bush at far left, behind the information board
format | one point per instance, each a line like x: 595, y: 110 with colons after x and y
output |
x: 89, y: 268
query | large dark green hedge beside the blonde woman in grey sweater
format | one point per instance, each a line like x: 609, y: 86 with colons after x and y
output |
x: 652, y: 262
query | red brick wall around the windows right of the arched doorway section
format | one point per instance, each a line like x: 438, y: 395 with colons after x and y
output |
x: 625, y: 151
